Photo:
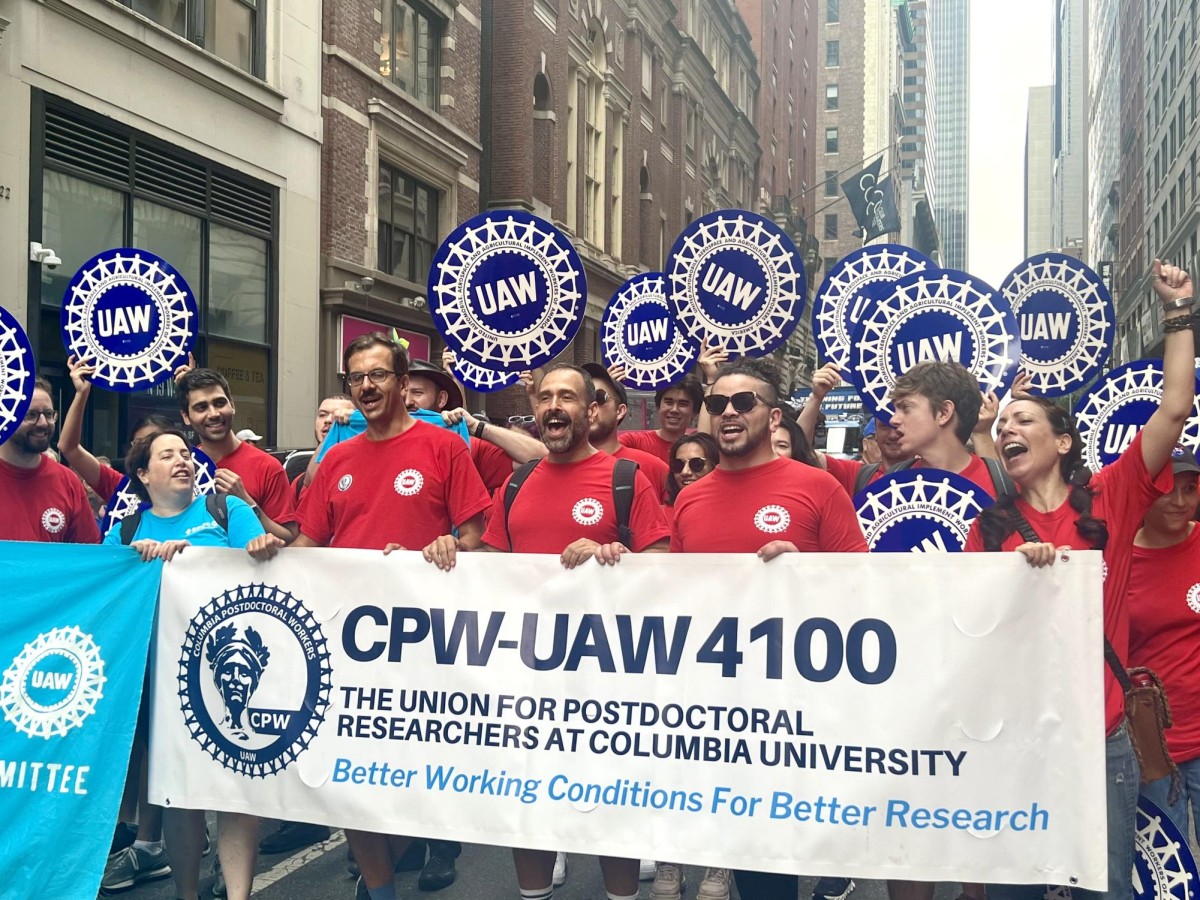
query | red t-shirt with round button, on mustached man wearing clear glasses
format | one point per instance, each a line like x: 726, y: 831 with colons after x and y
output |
x: 407, y: 490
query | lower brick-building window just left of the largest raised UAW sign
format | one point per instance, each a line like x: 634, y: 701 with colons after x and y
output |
x: 409, y: 225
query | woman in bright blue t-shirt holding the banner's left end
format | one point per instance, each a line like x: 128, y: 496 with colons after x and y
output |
x: 161, y: 471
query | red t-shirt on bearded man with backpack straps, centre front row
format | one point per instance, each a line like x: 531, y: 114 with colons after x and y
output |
x: 561, y: 503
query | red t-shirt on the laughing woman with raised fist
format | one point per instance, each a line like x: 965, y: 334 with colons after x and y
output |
x: 1124, y: 494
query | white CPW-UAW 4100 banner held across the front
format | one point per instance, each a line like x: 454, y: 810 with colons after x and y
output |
x: 926, y: 717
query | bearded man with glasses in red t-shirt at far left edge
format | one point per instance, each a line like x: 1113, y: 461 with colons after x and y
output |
x: 43, y: 501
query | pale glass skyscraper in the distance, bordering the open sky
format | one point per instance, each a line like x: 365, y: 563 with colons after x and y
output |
x: 950, y: 29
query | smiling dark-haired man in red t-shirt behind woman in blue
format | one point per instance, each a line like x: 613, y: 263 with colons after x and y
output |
x: 244, y: 471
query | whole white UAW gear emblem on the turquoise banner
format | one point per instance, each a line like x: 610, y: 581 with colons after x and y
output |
x: 53, y: 685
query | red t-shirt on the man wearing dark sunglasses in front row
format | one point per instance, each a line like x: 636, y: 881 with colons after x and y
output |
x: 741, y: 511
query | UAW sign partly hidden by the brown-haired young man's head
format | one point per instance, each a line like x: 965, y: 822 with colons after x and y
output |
x: 933, y: 315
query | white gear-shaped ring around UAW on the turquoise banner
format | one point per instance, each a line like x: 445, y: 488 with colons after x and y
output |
x: 87, y: 691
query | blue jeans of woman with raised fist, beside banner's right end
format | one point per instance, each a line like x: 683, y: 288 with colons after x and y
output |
x: 1121, y: 778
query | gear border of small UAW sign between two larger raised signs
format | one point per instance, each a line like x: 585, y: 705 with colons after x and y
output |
x: 645, y: 290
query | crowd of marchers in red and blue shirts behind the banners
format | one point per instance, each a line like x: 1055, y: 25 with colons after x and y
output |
x: 515, y: 488
